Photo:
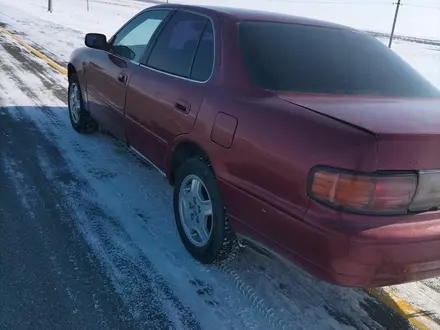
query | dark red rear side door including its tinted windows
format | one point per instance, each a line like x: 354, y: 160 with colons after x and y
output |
x: 166, y: 92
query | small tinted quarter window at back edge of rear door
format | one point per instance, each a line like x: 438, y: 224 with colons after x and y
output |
x: 204, y: 59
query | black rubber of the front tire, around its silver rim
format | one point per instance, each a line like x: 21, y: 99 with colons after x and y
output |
x: 85, y: 123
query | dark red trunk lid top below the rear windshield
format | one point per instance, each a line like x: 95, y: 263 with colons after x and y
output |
x: 377, y: 115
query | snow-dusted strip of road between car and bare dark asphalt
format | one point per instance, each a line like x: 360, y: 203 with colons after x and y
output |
x: 122, y: 209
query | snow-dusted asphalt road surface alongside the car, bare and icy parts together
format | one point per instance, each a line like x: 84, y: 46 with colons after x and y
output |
x: 87, y: 239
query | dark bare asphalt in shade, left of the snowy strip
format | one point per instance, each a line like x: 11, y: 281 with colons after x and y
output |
x: 49, y: 278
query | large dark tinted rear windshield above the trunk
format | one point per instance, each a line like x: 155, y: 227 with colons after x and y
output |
x: 311, y: 59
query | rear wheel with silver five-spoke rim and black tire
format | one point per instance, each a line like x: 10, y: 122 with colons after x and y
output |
x: 199, y: 213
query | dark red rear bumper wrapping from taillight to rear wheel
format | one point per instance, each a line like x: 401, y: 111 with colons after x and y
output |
x: 348, y: 250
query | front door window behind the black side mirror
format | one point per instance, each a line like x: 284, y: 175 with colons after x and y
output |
x: 131, y: 42
